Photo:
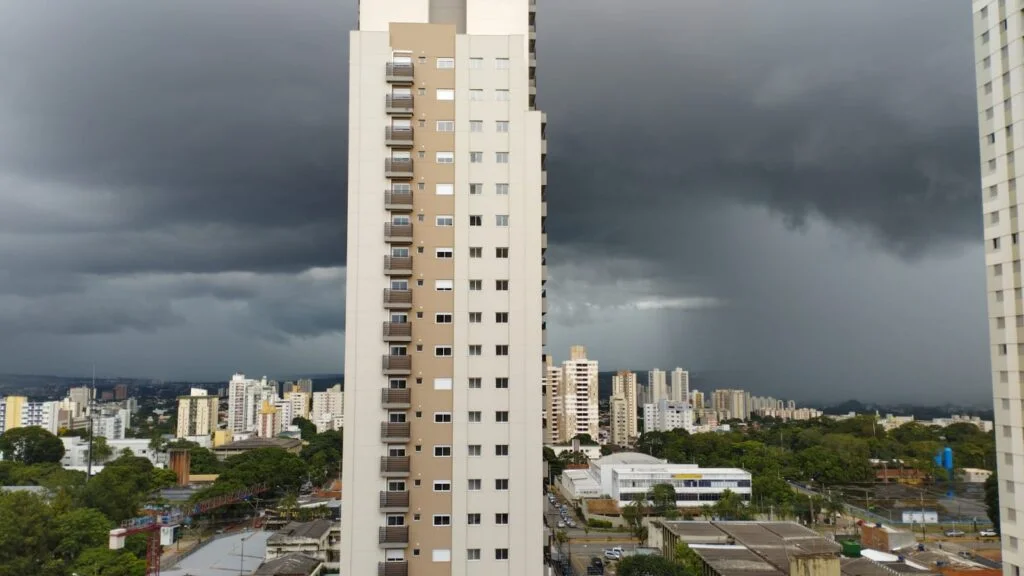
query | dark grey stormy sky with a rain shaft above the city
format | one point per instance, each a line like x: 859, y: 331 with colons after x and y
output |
x: 783, y: 192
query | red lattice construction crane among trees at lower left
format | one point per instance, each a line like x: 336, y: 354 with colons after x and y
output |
x: 160, y: 524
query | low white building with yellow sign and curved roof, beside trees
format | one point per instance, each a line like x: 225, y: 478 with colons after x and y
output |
x: 629, y: 477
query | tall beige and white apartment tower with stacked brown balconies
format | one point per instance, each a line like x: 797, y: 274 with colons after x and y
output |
x: 446, y: 284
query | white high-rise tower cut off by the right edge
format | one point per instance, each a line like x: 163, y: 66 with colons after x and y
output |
x: 999, y: 27
